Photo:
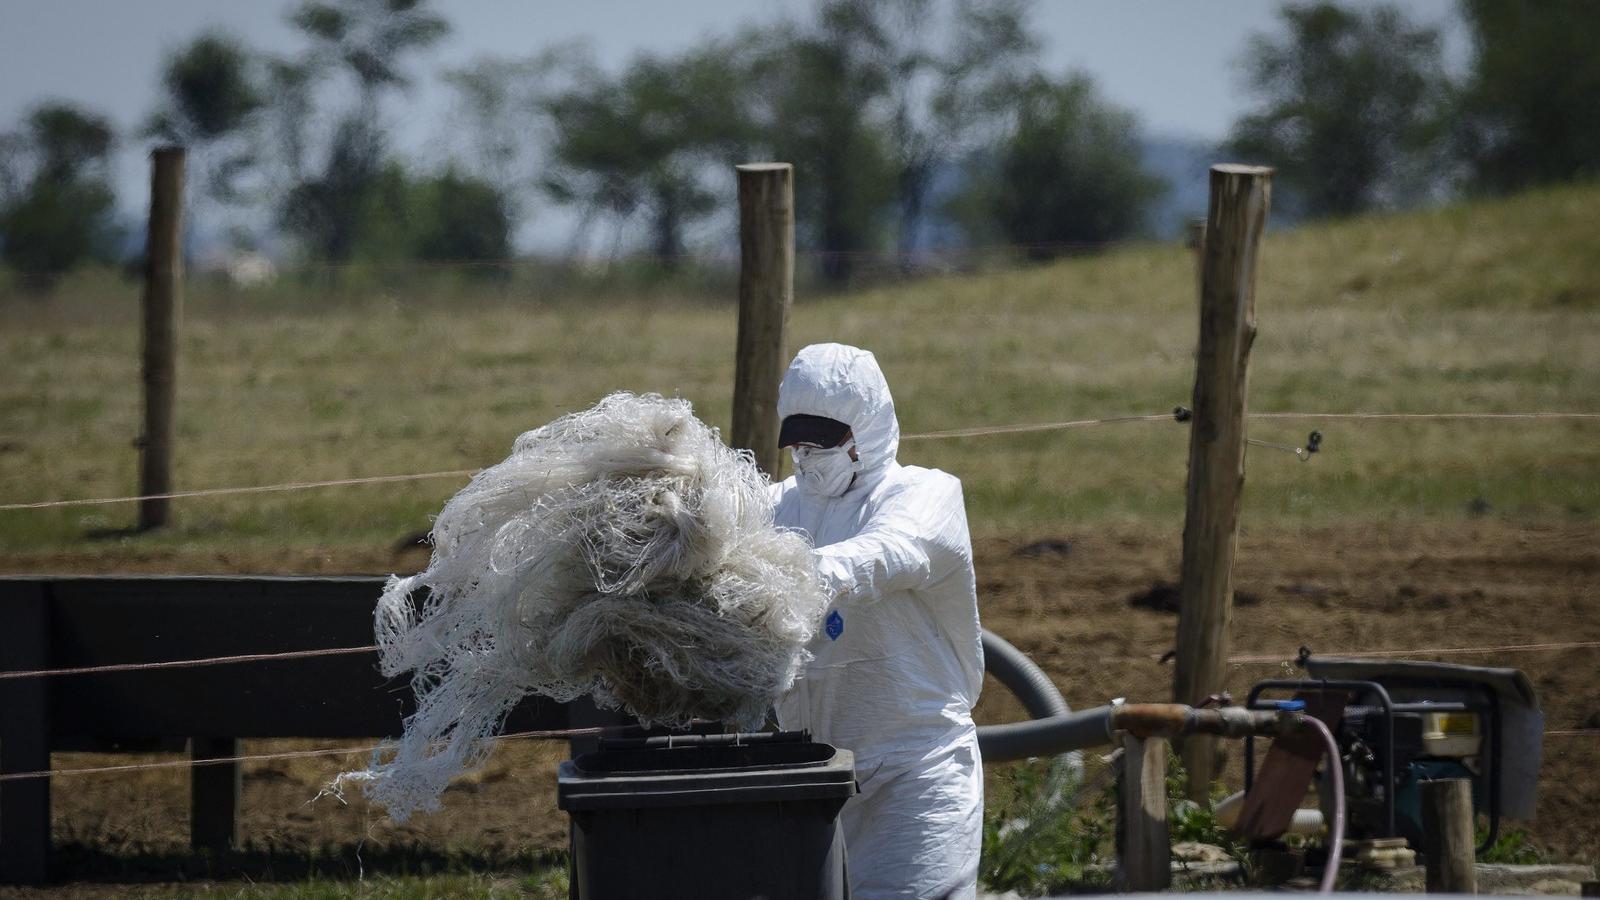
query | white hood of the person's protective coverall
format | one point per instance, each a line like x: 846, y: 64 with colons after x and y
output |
x: 846, y: 384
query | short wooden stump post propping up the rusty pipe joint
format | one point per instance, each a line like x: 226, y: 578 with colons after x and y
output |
x: 1146, y: 854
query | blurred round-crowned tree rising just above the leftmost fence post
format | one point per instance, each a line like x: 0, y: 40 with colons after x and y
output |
x: 212, y: 100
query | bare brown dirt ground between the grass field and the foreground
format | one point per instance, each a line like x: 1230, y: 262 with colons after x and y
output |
x: 1063, y: 598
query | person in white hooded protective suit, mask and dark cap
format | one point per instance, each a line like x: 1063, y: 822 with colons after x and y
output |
x: 898, y: 662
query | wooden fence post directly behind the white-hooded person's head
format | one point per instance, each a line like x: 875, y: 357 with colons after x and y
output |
x: 767, y: 287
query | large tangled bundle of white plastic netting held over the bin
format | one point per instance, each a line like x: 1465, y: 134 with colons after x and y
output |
x: 620, y: 552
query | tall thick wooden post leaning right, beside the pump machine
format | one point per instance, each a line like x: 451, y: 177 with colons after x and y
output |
x: 1236, y: 219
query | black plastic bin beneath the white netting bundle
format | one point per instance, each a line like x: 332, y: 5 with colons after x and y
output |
x: 708, y: 819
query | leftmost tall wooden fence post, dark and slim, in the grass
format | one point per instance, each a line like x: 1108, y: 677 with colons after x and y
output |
x: 164, y: 276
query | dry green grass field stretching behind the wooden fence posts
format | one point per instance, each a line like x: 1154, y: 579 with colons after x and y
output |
x: 1482, y: 308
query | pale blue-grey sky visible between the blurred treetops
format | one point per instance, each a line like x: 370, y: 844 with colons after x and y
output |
x: 1170, y: 62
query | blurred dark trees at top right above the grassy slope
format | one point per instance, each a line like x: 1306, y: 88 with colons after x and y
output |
x: 1358, y: 113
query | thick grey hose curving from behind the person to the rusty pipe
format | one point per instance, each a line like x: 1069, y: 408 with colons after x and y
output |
x: 1054, y: 731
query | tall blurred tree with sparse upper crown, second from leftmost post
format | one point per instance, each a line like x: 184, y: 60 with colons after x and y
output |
x: 370, y: 39
